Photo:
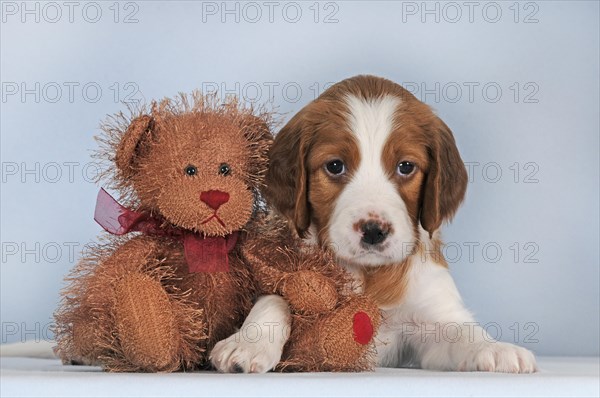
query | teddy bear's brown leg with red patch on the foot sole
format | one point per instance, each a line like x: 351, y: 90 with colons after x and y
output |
x: 339, y: 341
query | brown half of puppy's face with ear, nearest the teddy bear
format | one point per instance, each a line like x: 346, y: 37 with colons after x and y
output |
x: 296, y: 179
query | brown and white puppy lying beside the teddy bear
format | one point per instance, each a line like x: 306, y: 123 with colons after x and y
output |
x: 370, y: 172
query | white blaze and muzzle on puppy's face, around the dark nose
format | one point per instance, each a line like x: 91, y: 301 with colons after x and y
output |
x: 370, y: 190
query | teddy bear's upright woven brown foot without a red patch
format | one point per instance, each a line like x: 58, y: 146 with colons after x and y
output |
x: 146, y: 326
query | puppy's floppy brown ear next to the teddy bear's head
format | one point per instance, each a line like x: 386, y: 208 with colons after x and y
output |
x: 287, y: 177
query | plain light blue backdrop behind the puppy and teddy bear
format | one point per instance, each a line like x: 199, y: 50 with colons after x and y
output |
x: 176, y: 47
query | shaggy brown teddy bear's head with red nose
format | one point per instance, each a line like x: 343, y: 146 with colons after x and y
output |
x: 194, y: 161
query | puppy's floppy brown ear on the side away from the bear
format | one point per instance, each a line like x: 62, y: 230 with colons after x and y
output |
x: 446, y: 181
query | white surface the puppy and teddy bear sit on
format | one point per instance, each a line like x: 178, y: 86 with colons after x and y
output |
x: 558, y: 376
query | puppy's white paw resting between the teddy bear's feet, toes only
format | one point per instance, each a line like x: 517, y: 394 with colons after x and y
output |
x: 234, y: 355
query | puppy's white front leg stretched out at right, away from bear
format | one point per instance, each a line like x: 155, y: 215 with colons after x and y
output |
x: 444, y: 334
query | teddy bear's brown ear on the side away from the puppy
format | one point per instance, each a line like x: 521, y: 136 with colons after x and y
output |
x: 132, y: 144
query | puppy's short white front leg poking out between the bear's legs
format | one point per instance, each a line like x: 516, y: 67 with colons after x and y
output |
x: 258, y: 345
